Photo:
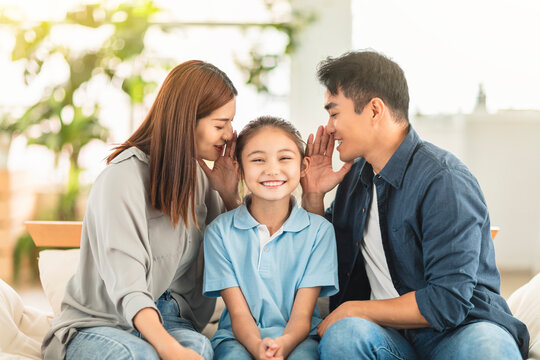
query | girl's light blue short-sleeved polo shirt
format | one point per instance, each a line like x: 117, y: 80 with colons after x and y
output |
x: 301, y: 254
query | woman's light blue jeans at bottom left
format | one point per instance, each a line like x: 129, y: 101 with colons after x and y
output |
x: 108, y: 343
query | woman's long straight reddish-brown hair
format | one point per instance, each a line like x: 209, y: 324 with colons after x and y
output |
x: 191, y: 91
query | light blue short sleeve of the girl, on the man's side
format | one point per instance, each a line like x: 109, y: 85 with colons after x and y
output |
x: 321, y: 269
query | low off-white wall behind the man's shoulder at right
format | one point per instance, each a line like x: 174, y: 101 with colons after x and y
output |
x: 503, y: 151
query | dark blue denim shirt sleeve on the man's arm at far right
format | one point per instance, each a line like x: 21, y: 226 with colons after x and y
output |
x: 453, y: 214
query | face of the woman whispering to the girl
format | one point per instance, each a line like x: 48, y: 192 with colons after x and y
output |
x: 214, y: 130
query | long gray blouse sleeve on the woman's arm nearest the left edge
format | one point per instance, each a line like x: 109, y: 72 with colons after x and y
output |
x: 118, y: 221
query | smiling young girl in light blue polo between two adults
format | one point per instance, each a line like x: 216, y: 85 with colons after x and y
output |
x: 269, y: 259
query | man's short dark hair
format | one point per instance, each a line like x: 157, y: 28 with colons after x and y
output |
x: 364, y: 75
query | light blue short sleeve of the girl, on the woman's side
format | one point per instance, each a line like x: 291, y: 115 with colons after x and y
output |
x: 219, y: 273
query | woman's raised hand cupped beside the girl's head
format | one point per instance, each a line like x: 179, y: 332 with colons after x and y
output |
x: 223, y: 176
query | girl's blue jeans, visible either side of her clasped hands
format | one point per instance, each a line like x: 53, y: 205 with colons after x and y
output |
x: 232, y: 350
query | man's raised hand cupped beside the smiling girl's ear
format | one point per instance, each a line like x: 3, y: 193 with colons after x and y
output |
x: 321, y: 177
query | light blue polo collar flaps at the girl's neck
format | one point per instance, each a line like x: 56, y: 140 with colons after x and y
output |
x: 297, y: 220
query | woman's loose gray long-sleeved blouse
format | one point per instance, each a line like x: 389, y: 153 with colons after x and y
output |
x: 131, y: 254
